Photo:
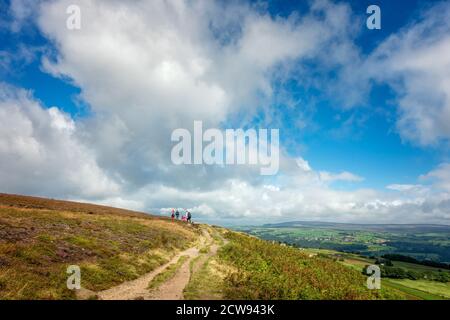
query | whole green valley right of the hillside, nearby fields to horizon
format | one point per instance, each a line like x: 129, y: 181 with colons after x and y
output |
x: 358, y: 246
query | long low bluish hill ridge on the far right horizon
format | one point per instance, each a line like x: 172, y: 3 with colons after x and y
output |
x: 367, y: 227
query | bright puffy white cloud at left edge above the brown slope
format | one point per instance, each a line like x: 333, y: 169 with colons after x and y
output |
x: 41, y: 154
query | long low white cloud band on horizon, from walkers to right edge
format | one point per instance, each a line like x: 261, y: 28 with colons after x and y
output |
x: 238, y: 202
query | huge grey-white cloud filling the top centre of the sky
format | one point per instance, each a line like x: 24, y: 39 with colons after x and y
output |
x: 152, y: 67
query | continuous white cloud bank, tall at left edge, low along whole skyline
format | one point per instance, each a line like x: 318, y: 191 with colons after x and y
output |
x: 41, y: 154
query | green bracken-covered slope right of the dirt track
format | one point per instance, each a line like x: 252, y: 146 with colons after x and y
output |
x: 265, y: 270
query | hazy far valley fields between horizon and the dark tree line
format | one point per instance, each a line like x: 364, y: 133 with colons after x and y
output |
x: 415, y: 241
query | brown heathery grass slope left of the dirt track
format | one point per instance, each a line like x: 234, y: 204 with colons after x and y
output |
x: 40, y: 238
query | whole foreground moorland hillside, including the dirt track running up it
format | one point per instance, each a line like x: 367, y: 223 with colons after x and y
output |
x: 124, y: 254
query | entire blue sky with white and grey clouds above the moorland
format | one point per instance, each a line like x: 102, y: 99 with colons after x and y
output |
x: 363, y: 115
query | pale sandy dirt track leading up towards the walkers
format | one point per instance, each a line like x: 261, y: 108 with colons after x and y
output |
x: 170, y: 290
